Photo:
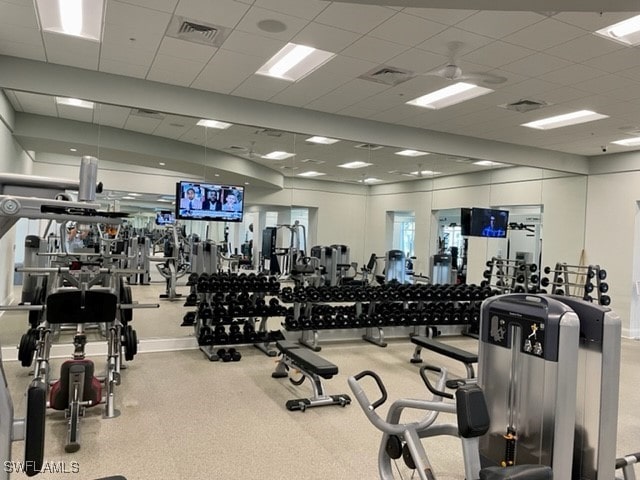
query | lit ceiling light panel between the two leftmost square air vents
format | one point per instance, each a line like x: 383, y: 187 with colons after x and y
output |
x: 293, y: 62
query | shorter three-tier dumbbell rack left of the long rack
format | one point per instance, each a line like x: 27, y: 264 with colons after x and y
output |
x: 216, y: 319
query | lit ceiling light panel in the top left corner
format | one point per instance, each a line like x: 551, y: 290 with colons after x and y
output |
x: 79, y: 18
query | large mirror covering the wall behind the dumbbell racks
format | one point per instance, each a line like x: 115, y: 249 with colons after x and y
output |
x: 372, y: 198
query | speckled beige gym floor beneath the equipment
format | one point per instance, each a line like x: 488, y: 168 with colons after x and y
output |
x: 185, y: 417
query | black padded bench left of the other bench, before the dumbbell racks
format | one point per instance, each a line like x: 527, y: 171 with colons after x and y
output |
x: 311, y: 366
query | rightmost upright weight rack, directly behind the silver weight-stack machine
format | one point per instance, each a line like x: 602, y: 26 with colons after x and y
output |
x: 577, y: 281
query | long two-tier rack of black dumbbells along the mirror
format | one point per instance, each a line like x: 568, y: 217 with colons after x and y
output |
x: 373, y: 308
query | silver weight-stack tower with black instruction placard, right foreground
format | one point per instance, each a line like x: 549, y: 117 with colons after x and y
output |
x: 527, y: 367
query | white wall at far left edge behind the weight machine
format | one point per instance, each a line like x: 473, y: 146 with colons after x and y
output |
x: 13, y: 159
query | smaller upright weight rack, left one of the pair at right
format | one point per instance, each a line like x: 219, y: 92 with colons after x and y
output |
x: 511, y: 276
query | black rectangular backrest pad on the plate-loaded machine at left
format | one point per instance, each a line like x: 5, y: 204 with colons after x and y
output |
x: 70, y: 306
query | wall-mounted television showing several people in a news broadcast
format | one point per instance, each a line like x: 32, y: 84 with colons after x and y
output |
x: 210, y: 202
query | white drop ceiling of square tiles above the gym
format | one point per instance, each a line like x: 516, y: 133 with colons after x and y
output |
x: 549, y: 57
